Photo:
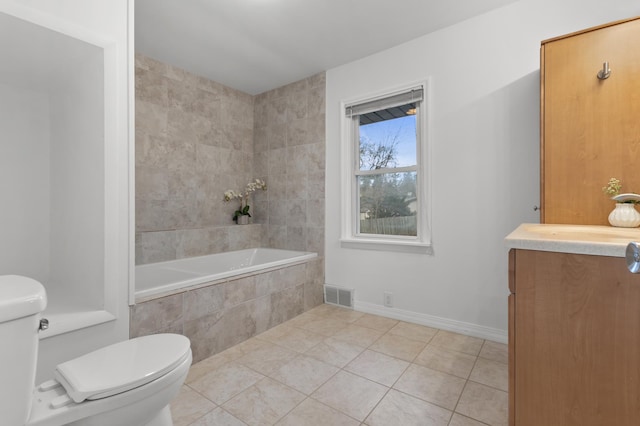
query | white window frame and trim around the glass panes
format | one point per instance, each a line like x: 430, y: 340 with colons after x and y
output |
x: 350, y: 152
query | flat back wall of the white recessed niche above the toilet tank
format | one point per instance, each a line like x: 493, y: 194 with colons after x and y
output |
x: 24, y: 182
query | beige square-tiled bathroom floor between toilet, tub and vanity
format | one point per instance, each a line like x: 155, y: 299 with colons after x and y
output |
x: 332, y: 367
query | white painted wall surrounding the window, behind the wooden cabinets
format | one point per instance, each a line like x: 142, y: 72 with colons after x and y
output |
x: 484, y: 167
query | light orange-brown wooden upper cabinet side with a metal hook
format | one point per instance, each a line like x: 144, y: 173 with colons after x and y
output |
x: 590, y: 127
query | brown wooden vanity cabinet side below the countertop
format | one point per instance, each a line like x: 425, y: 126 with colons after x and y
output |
x: 574, y: 340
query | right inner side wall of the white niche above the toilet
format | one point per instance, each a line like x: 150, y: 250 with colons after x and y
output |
x: 77, y: 182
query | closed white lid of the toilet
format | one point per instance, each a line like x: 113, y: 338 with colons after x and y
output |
x: 122, y: 366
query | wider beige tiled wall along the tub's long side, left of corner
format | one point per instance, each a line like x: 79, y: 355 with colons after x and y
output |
x: 194, y: 140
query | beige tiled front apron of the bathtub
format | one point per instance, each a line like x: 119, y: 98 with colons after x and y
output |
x: 220, y: 315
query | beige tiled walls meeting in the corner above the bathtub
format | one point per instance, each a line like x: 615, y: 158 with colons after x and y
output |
x: 196, y: 138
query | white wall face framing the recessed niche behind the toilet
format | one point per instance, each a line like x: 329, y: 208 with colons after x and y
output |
x: 104, y: 23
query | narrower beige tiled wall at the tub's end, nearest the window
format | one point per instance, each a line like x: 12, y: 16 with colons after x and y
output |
x: 289, y: 151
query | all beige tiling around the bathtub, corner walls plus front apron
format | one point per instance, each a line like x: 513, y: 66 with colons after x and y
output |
x: 196, y: 138
